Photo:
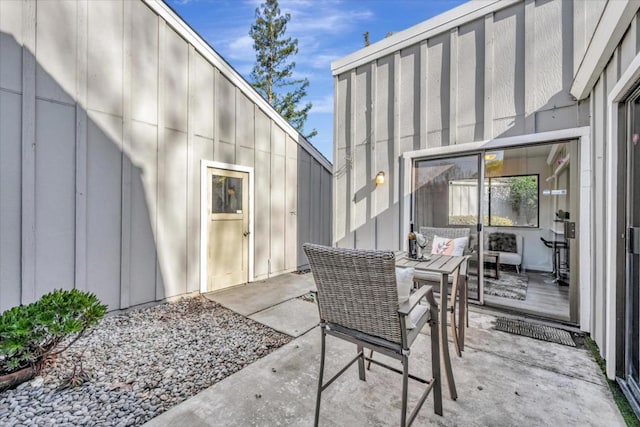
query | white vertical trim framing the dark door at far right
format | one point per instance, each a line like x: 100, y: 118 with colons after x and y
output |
x: 617, y: 95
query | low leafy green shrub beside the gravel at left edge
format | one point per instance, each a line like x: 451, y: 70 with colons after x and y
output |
x: 29, y: 334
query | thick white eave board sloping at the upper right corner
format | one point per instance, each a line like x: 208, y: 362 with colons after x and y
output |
x: 615, y: 20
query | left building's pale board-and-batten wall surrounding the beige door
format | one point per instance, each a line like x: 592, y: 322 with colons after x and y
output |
x: 106, y: 111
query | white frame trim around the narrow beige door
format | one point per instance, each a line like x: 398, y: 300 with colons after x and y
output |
x: 204, y: 165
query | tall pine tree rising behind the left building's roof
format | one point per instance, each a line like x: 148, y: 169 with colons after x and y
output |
x: 273, y: 71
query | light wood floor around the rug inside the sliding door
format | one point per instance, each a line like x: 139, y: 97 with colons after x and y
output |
x: 543, y: 299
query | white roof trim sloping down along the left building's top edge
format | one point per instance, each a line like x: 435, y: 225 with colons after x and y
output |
x: 182, y: 28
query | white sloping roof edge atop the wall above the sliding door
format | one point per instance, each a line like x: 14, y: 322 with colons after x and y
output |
x: 431, y: 27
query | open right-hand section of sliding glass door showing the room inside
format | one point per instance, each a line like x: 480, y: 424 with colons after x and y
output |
x: 529, y: 211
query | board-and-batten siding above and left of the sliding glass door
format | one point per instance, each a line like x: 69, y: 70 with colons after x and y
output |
x: 481, y: 71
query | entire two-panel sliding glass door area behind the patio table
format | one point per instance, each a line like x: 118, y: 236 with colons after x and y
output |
x: 514, y: 209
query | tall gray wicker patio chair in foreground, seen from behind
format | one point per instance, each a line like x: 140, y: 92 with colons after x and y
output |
x: 357, y: 299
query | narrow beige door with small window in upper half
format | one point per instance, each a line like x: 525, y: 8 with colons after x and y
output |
x: 227, y: 228
